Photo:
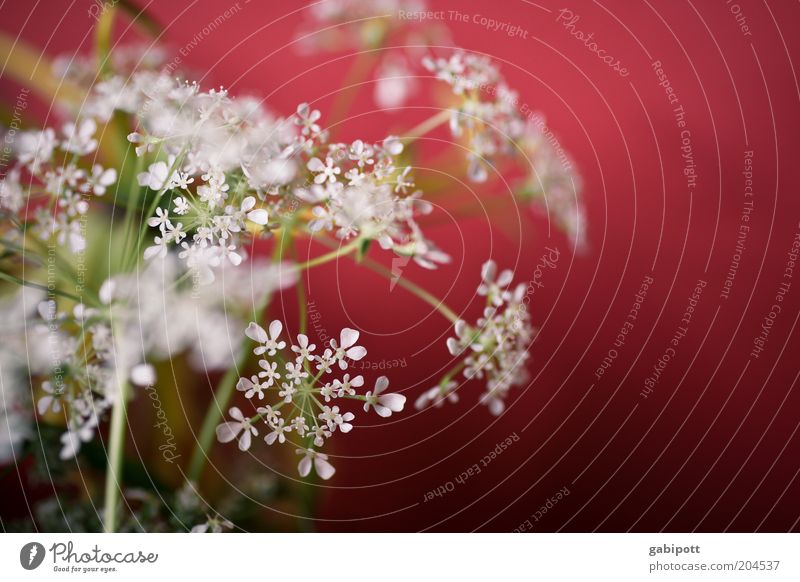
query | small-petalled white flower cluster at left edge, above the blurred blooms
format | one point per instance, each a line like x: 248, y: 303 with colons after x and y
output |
x: 46, y: 174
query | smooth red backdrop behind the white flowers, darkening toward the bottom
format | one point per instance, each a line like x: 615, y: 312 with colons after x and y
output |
x: 714, y: 447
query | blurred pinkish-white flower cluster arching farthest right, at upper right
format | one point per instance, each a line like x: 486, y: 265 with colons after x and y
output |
x: 490, y: 117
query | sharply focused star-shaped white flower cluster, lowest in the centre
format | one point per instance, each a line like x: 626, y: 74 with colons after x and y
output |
x: 296, y: 398
